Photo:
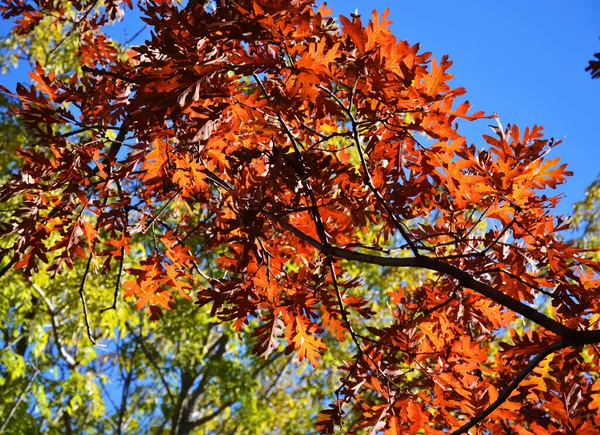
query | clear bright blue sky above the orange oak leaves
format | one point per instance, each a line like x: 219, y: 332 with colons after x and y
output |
x: 524, y: 60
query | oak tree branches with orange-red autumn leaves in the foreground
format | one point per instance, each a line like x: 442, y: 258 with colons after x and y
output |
x: 293, y: 148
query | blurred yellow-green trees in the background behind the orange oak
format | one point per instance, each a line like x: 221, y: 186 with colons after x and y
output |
x: 185, y: 374
